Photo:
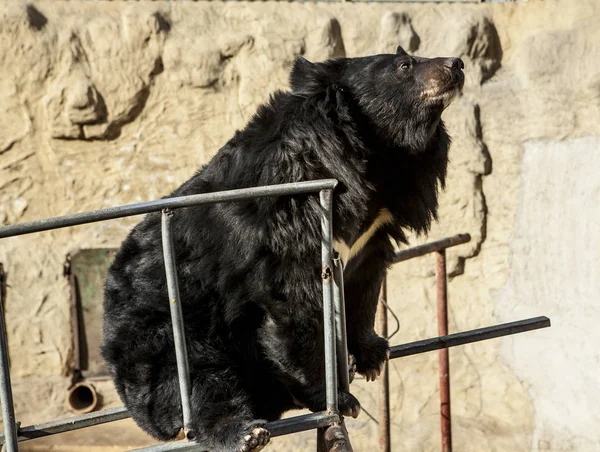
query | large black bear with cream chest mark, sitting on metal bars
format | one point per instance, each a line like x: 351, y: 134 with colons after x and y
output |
x: 250, y: 272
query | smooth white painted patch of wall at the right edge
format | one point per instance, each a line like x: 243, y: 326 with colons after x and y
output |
x: 556, y: 272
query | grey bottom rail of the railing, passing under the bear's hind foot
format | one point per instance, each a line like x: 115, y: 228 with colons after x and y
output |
x: 277, y: 428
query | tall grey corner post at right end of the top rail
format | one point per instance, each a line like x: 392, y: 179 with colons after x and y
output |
x: 325, y: 197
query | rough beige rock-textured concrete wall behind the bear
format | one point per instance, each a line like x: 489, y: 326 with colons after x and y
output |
x: 106, y: 103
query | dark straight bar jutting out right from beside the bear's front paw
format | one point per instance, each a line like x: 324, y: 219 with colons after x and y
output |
x: 466, y: 337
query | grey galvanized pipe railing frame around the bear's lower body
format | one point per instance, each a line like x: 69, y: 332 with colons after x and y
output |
x: 330, y: 302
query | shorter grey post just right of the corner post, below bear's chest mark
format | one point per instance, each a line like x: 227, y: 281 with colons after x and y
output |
x: 340, y: 322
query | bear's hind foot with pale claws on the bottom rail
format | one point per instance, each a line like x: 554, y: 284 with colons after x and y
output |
x: 222, y: 414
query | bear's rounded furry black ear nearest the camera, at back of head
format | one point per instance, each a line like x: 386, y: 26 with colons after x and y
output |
x: 310, y: 78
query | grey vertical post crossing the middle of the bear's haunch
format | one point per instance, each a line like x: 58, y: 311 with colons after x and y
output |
x: 176, y: 317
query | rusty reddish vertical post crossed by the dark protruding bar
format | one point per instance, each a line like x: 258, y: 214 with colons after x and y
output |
x: 442, y: 302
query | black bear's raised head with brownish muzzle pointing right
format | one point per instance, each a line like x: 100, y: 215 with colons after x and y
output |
x: 400, y: 97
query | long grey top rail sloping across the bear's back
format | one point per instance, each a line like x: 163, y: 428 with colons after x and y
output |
x: 167, y: 203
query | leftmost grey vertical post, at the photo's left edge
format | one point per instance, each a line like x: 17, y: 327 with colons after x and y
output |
x: 8, y: 409
